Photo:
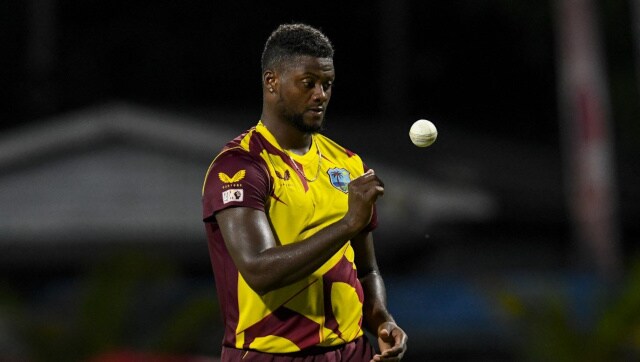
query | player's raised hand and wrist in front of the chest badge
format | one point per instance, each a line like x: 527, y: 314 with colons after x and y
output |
x: 363, y: 193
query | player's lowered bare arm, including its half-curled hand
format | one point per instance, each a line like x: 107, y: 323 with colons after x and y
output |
x: 392, y: 340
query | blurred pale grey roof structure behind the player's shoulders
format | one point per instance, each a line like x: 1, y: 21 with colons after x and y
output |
x: 120, y: 173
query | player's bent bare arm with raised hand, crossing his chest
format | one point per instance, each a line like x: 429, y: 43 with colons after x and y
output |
x: 266, y: 266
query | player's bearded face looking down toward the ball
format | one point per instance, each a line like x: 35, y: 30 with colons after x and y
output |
x: 304, y: 90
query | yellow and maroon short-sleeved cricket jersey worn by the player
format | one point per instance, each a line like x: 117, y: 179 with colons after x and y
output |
x: 301, y: 194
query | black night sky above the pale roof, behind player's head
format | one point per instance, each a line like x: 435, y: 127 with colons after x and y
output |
x: 485, y: 65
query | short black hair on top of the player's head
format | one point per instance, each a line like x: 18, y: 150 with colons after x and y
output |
x: 291, y: 40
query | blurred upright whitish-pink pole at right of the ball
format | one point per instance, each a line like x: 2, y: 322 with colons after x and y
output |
x: 585, y: 117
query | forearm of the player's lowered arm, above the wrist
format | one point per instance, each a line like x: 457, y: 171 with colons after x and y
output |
x: 375, y: 301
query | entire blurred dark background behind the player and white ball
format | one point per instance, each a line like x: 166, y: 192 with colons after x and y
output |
x: 513, y: 237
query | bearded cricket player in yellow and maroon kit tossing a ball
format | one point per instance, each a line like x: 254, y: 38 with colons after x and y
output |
x: 289, y: 215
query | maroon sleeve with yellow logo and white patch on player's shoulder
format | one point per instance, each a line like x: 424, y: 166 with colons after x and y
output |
x: 235, y: 179
